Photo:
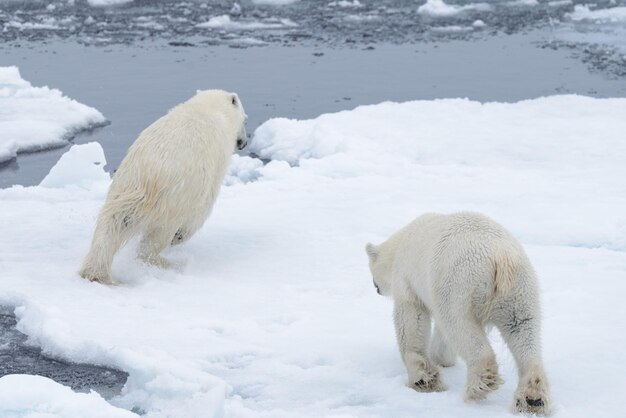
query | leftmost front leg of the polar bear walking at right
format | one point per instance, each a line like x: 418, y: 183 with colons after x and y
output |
x: 412, y: 323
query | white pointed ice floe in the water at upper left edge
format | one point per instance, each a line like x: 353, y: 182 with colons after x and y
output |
x: 35, y: 118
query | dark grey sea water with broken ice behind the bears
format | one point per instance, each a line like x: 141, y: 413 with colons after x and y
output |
x: 136, y: 60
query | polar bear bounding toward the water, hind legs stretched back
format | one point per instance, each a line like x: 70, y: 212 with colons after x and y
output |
x: 166, y: 184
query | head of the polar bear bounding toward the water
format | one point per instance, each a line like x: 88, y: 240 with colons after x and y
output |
x: 230, y: 107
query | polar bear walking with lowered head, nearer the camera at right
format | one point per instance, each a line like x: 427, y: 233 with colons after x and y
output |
x: 466, y: 272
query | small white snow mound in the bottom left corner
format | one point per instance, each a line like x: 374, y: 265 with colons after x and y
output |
x: 38, y: 397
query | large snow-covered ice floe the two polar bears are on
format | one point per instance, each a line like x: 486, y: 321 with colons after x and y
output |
x: 271, y: 312
